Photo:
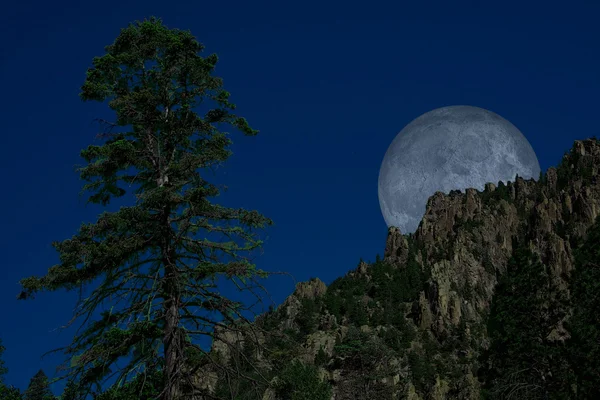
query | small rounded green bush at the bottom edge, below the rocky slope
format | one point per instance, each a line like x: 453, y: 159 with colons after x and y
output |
x: 301, y: 382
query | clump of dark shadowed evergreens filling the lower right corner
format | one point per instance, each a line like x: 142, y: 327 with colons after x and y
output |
x: 526, y: 359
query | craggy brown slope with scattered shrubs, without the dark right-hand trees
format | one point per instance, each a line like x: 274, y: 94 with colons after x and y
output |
x: 415, y: 324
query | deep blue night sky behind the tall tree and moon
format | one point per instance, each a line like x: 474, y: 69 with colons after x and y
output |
x: 328, y: 84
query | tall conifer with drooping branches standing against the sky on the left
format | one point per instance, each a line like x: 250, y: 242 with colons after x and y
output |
x: 161, y: 256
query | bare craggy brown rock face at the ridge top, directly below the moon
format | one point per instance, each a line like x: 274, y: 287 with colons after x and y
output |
x: 476, y: 234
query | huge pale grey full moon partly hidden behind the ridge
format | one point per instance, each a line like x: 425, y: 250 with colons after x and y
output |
x: 449, y: 148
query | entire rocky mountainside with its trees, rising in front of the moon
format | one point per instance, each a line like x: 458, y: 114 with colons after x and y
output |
x: 419, y: 323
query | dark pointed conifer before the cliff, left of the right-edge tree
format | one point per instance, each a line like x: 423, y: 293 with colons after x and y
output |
x: 525, y: 309
